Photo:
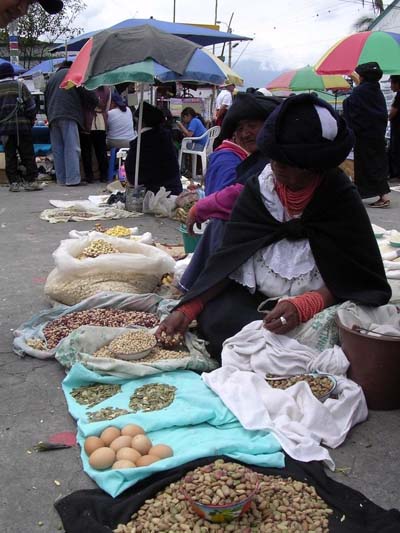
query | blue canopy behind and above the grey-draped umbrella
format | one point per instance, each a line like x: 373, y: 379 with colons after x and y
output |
x: 196, y: 34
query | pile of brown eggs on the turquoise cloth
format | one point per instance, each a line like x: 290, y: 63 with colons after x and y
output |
x: 128, y: 447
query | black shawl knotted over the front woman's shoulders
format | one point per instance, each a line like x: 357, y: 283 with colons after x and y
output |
x: 337, y: 227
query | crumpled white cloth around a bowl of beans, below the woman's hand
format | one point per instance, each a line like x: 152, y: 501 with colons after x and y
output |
x: 301, y: 423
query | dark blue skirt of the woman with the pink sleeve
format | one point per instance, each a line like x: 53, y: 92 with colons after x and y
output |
x: 210, y: 241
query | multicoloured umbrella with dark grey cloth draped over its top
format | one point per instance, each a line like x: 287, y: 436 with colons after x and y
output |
x: 141, y: 54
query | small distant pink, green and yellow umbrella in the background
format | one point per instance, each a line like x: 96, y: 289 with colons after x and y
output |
x: 306, y: 79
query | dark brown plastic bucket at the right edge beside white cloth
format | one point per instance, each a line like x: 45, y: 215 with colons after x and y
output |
x: 374, y: 365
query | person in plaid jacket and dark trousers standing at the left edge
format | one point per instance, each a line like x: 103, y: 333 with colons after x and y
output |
x: 17, y: 114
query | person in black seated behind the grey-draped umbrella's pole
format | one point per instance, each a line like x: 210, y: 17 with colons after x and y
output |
x: 158, y: 164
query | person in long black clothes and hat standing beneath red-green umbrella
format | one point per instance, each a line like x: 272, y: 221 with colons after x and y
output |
x: 366, y: 114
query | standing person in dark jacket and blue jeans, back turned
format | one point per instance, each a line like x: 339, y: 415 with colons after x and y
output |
x: 65, y: 115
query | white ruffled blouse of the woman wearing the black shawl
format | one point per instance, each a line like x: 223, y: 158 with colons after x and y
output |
x: 269, y: 270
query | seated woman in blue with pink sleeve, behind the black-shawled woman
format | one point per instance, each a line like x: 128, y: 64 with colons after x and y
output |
x: 235, y: 160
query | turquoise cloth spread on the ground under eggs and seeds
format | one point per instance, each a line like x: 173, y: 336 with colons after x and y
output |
x: 197, y: 424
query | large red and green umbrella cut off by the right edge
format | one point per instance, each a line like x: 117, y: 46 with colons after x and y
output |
x: 380, y: 46
